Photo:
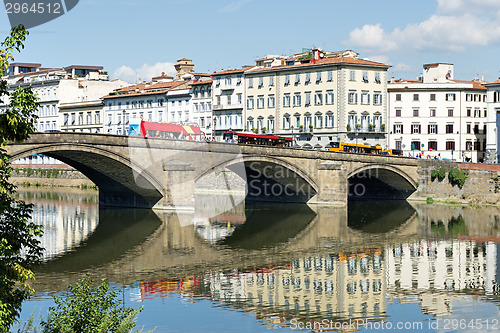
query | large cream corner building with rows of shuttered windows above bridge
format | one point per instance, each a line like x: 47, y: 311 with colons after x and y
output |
x: 318, y: 97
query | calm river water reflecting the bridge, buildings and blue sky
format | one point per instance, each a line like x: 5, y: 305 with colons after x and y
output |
x: 370, y: 267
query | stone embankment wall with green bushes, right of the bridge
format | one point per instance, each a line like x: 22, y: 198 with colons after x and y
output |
x: 482, y: 185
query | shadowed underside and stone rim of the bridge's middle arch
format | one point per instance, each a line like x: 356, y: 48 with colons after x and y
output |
x: 270, y: 179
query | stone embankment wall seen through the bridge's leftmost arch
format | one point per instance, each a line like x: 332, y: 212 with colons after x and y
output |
x: 50, y: 177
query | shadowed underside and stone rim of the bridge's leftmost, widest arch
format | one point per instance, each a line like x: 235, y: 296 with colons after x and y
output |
x: 121, y: 182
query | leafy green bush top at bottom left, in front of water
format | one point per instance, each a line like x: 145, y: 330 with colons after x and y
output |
x: 90, y: 309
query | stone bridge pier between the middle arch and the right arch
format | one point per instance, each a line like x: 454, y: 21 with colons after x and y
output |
x: 333, y: 185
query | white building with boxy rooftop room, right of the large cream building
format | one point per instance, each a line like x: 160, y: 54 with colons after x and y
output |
x: 438, y: 116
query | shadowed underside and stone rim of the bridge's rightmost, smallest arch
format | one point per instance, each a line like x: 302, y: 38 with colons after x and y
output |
x: 378, y: 181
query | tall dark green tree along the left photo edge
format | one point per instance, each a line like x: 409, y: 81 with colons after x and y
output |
x: 19, y: 246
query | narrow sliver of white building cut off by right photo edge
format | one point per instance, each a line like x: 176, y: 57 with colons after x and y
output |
x: 492, y: 134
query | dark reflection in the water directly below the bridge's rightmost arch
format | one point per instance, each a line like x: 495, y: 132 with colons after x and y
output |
x: 379, y: 217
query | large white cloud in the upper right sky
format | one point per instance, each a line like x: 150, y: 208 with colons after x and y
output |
x: 439, y: 32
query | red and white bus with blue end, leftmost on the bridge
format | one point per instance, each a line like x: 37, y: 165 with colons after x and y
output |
x: 138, y: 127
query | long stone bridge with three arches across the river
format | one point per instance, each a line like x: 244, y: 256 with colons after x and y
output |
x: 159, y: 173
